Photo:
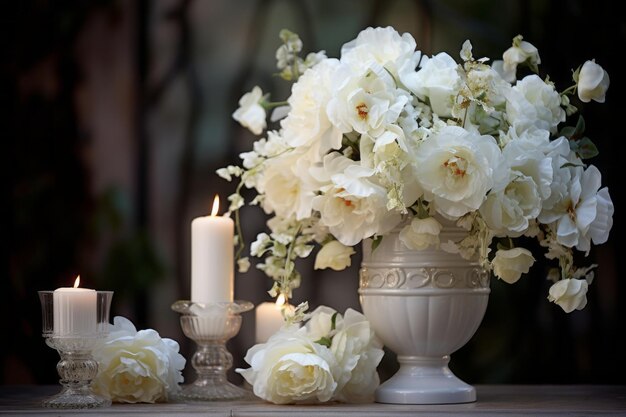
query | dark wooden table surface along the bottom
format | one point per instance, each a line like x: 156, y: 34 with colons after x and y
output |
x: 493, y: 400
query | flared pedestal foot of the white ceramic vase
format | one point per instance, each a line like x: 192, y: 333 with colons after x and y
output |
x: 423, y: 380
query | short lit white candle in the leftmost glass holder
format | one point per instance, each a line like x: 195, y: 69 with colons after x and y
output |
x: 74, y: 310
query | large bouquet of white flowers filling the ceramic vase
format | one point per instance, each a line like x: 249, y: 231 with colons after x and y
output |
x: 386, y: 134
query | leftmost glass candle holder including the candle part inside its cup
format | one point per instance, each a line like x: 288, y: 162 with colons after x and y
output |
x: 74, y: 332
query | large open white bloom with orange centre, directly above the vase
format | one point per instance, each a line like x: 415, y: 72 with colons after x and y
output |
x: 456, y: 169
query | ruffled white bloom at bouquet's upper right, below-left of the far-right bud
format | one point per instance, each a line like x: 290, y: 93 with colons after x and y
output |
x: 532, y: 102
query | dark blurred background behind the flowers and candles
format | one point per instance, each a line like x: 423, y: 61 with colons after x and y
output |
x: 115, y: 115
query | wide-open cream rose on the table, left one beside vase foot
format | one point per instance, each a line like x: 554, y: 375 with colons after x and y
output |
x: 290, y: 368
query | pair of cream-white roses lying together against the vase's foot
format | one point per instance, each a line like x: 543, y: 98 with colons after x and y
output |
x: 332, y: 357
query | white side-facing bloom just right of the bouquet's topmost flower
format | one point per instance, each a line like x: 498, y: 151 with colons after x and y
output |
x: 438, y: 81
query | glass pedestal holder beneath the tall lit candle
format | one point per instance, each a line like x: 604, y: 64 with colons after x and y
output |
x: 210, y: 326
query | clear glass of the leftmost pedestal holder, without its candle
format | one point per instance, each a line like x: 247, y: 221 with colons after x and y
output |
x: 77, y: 368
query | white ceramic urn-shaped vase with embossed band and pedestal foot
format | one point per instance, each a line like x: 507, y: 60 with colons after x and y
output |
x: 424, y: 305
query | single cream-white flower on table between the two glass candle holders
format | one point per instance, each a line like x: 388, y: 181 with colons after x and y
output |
x: 137, y: 366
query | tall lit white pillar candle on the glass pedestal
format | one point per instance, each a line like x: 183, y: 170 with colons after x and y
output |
x: 212, y: 265
